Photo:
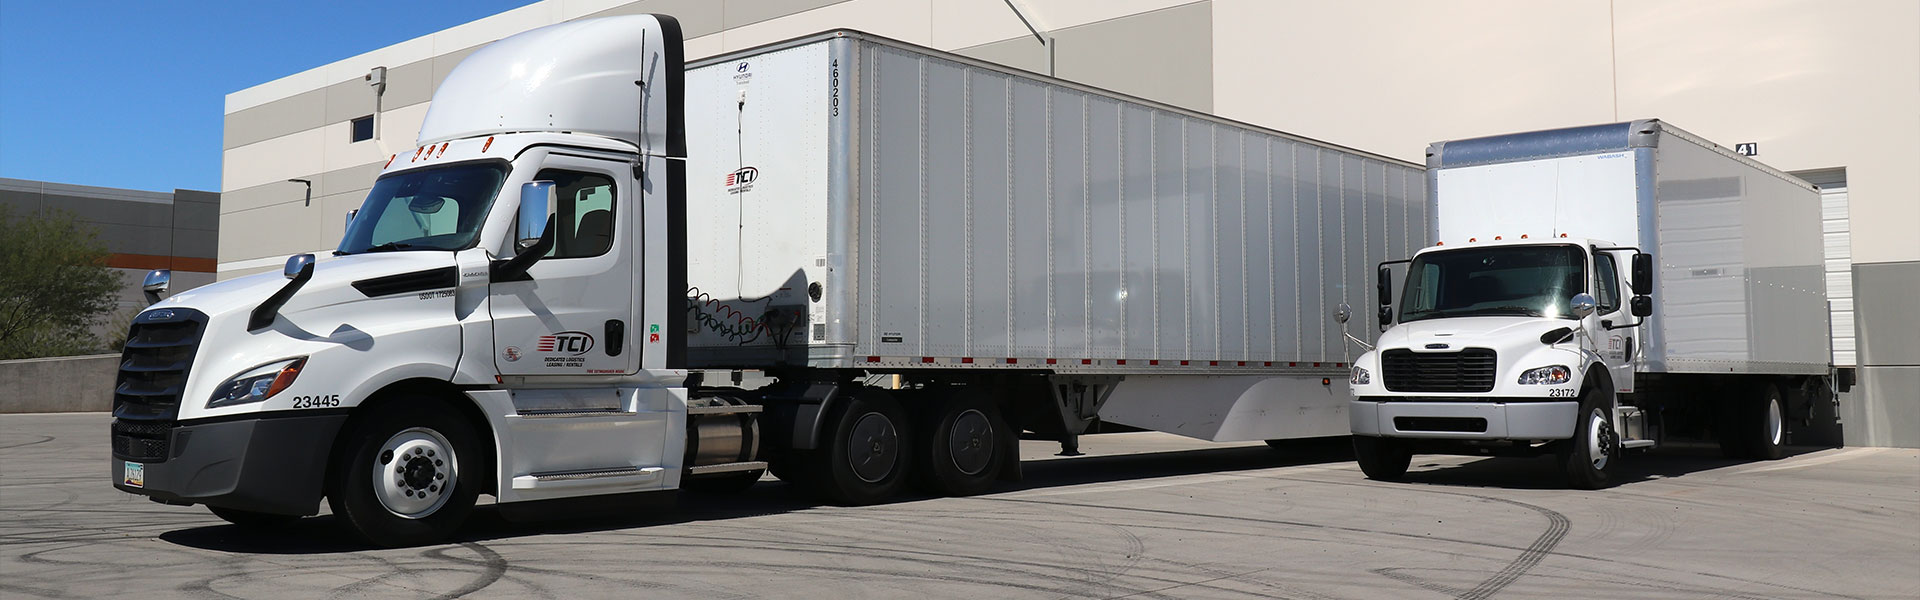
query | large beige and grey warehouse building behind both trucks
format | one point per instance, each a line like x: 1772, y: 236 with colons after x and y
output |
x: 1821, y: 89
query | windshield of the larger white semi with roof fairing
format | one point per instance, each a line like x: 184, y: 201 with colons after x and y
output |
x: 437, y: 209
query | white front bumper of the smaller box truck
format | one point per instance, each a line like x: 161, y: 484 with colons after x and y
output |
x: 1531, y: 420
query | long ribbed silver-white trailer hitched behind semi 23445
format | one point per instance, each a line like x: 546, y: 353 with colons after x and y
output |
x: 869, y: 205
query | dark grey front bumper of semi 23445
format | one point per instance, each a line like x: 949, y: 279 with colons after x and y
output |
x: 268, y: 464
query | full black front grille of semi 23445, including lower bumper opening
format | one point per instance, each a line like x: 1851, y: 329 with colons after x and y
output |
x: 153, y: 376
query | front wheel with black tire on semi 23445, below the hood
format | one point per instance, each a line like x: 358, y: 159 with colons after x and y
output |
x: 398, y: 474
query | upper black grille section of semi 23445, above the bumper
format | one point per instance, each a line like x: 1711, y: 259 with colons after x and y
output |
x: 153, y: 374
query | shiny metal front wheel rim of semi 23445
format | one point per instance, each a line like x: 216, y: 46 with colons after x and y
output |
x: 416, y: 474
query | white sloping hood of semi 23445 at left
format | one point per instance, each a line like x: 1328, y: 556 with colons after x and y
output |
x: 356, y: 336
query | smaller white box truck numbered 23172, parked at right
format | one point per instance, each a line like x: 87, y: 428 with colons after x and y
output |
x: 1593, y: 291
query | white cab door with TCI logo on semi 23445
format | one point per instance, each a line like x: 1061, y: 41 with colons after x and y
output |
x: 573, y: 316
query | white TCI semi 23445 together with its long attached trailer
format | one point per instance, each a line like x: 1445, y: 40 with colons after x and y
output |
x: 848, y: 261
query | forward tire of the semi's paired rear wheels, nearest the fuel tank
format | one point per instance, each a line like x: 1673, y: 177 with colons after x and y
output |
x: 867, y: 451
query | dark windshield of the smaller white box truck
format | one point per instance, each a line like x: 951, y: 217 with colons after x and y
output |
x: 1535, y: 282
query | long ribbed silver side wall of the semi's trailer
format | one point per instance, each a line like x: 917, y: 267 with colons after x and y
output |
x: 1009, y: 218
